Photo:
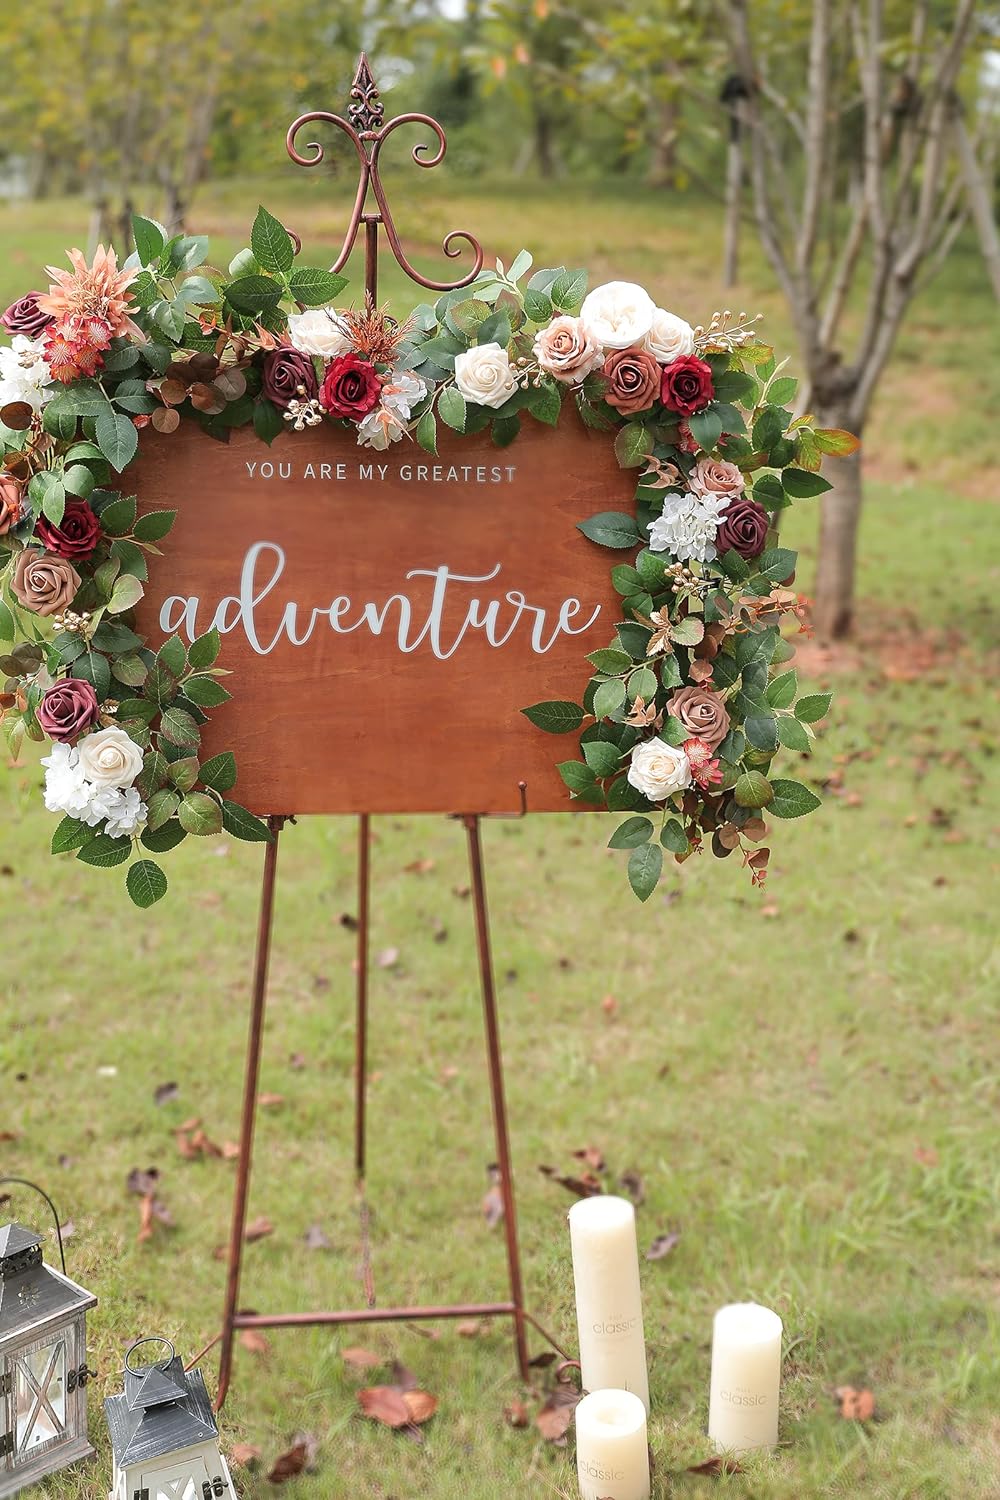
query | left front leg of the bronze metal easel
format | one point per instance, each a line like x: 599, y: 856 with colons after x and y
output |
x: 251, y: 1081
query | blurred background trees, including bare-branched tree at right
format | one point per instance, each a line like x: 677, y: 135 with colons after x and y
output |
x: 855, y: 139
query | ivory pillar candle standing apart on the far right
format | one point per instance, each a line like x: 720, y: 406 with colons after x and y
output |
x: 746, y: 1378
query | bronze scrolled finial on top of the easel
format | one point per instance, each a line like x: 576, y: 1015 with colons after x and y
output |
x: 368, y: 133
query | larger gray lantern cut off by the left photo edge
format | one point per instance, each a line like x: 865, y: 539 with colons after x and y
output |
x: 43, y: 1360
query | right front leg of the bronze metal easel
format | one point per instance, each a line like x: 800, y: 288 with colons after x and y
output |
x: 499, y: 1096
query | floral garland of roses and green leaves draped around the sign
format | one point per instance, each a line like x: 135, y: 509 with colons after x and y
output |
x: 683, y: 715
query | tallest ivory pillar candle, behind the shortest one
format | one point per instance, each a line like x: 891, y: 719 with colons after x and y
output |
x: 608, y: 1297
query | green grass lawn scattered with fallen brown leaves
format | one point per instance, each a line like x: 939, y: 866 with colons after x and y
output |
x: 806, y: 1079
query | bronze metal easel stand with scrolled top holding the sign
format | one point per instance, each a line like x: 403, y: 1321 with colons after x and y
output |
x: 367, y: 130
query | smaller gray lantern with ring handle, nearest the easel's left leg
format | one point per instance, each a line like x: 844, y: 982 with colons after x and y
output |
x: 164, y: 1435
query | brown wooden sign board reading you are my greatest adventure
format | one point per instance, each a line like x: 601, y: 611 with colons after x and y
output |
x: 397, y: 700
